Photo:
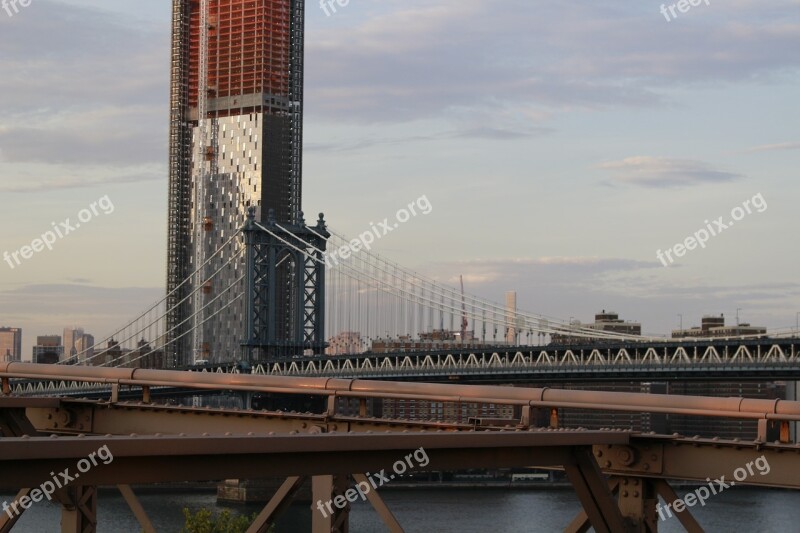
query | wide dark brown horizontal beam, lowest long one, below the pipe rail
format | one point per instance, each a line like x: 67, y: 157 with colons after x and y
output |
x: 28, y: 461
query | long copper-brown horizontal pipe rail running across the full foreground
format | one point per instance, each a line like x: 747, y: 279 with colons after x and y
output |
x: 545, y: 397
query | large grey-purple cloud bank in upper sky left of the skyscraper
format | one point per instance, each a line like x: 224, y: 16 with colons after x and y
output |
x: 84, y: 97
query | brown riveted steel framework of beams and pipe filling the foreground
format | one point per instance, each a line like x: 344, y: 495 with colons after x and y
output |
x: 618, y: 476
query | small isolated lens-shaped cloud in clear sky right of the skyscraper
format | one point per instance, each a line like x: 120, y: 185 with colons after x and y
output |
x: 664, y: 172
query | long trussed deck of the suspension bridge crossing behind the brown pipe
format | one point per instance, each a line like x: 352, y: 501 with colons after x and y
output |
x: 708, y: 360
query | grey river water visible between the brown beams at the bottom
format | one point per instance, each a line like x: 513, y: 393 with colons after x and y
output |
x: 435, y: 510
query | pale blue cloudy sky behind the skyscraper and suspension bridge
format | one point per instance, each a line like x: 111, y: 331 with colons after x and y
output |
x: 562, y: 145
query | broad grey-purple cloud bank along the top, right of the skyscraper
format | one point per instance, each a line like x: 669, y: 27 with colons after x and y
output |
x: 417, y: 59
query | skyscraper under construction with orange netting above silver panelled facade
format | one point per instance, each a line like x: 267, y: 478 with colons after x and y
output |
x: 236, y: 110
